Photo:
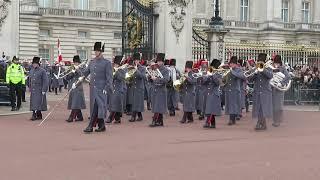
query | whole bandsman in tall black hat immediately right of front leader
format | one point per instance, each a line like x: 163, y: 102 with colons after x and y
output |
x: 118, y: 93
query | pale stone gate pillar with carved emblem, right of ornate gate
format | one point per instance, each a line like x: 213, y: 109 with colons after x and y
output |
x: 173, y: 30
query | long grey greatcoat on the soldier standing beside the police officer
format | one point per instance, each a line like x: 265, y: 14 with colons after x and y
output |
x: 38, y: 83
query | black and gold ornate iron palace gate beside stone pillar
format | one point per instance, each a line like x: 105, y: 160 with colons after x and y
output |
x: 137, y: 27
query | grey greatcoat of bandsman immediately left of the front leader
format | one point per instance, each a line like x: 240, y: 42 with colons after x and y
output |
x: 76, y: 96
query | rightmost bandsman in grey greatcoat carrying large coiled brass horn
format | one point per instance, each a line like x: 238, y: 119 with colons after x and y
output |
x: 277, y: 95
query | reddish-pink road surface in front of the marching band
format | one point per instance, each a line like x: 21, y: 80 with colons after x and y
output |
x: 58, y: 150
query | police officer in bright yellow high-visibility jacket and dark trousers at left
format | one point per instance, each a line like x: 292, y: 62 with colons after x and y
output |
x: 16, y: 79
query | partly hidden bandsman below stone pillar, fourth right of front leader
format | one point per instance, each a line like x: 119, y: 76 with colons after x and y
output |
x: 172, y: 93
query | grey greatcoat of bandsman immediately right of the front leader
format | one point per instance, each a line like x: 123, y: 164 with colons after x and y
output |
x: 118, y: 93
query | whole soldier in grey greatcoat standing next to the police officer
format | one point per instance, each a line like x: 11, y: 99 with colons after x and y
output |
x: 38, y: 85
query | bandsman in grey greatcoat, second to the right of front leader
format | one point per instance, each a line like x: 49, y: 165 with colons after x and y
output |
x: 137, y: 86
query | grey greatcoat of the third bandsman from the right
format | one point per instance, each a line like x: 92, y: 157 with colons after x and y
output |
x: 232, y: 91
